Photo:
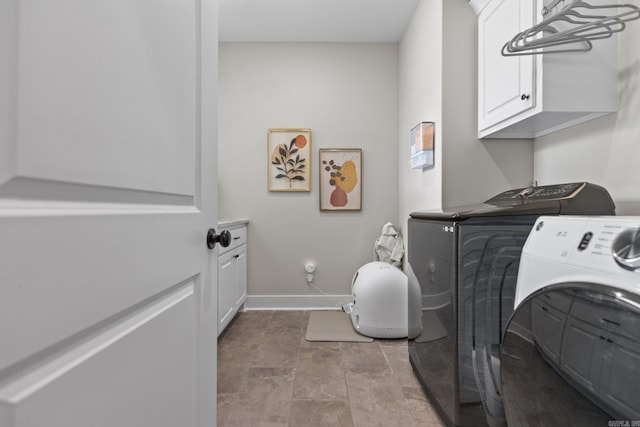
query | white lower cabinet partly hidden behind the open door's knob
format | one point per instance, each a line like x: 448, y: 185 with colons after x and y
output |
x: 232, y: 275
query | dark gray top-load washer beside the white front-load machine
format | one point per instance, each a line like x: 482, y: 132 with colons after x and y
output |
x: 465, y: 260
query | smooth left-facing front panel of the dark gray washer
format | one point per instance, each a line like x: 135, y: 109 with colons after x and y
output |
x: 433, y: 249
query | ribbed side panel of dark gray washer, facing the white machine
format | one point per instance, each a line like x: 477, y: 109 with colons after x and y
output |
x: 487, y: 274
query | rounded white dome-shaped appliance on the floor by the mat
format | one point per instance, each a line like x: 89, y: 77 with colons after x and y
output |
x: 380, y: 298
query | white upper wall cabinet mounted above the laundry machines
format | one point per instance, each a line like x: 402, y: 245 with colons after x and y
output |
x: 532, y: 95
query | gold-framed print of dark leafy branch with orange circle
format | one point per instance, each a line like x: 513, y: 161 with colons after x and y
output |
x: 289, y: 159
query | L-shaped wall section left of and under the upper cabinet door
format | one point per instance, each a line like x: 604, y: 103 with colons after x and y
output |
x: 473, y: 170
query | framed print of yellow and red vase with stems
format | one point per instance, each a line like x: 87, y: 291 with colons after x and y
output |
x: 340, y: 179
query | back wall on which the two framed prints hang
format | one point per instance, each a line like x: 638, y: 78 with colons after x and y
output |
x: 347, y: 94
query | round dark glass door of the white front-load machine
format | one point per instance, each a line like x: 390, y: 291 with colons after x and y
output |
x: 571, y: 356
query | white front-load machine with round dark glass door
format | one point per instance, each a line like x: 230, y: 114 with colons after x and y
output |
x: 571, y: 350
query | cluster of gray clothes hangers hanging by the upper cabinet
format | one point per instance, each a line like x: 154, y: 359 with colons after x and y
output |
x: 572, y: 29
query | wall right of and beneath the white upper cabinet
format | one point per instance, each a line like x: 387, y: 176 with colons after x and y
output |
x: 605, y: 151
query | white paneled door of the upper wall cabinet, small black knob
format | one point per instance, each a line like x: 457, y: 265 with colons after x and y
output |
x: 506, y: 85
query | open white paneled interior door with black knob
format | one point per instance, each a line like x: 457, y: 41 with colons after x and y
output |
x: 108, y: 133
